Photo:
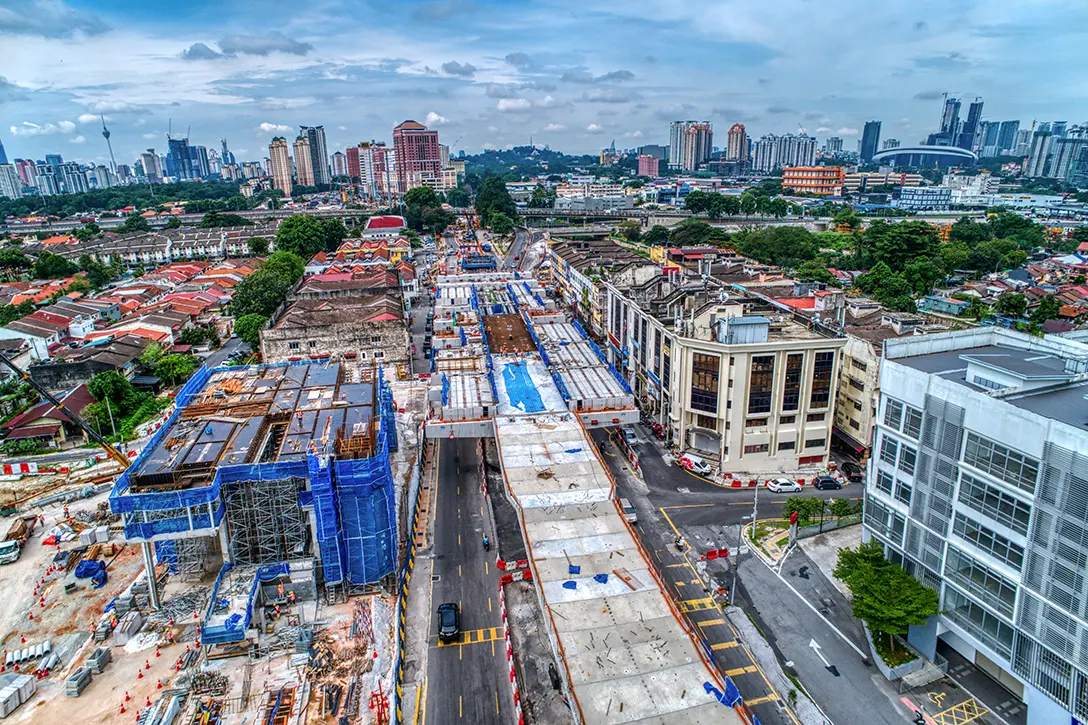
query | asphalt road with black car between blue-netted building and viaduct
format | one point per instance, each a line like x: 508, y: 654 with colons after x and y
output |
x: 467, y: 681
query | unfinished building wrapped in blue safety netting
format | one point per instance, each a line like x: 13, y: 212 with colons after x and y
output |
x: 277, y: 471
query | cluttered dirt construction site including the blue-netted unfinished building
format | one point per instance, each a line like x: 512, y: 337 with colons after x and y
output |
x: 243, y: 568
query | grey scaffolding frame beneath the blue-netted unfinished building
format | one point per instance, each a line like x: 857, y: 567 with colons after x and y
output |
x: 266, y: 521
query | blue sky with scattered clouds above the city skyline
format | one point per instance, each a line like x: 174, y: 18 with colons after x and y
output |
x: 494, y: 75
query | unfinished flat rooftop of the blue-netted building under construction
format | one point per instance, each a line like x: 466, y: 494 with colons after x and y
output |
x: 259, y: 414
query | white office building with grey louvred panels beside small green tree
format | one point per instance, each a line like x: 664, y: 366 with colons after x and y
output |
x: 979, y: 485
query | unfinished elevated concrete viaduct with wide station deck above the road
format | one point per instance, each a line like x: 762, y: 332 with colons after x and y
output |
x: 516, y: 370
